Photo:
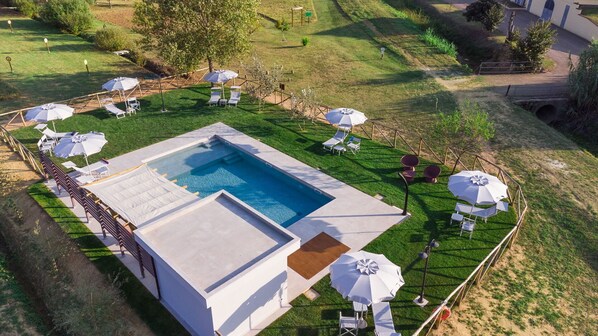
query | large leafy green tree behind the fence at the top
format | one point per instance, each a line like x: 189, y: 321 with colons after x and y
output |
x: 186, y: 32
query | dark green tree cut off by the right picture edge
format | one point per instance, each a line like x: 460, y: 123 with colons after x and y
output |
x: 583, y: 83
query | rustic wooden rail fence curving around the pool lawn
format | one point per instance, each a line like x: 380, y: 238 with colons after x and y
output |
x: 373, y: 130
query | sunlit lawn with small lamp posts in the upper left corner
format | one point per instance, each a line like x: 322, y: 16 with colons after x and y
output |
x: 41, y: 77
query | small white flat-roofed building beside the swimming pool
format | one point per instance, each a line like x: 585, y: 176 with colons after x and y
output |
x: 221, y: 265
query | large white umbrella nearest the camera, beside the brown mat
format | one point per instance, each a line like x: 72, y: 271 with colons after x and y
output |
x: 366, y: 277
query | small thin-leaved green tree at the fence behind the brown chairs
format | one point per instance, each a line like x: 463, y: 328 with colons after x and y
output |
x: 468, y: 129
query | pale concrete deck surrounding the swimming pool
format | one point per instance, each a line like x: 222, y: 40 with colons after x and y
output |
x: 352, y: 217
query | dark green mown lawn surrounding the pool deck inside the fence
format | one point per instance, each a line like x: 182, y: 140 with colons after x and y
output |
x: 373, y: 171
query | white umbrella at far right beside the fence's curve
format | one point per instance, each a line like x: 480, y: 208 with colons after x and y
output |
x: 477, y: 187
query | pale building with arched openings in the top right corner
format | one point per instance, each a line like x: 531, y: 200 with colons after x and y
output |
x: 565, y: 14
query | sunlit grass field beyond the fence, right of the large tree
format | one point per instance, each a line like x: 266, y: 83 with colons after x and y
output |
x: 342, y: 63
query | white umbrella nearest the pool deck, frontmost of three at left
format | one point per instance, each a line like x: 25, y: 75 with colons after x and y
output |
x: 80, y: 144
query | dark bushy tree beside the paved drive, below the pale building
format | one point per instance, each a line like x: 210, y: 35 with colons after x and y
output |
x: 533, y: 47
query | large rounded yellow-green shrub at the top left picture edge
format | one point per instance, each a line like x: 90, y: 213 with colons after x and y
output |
x: 73, y: 16
